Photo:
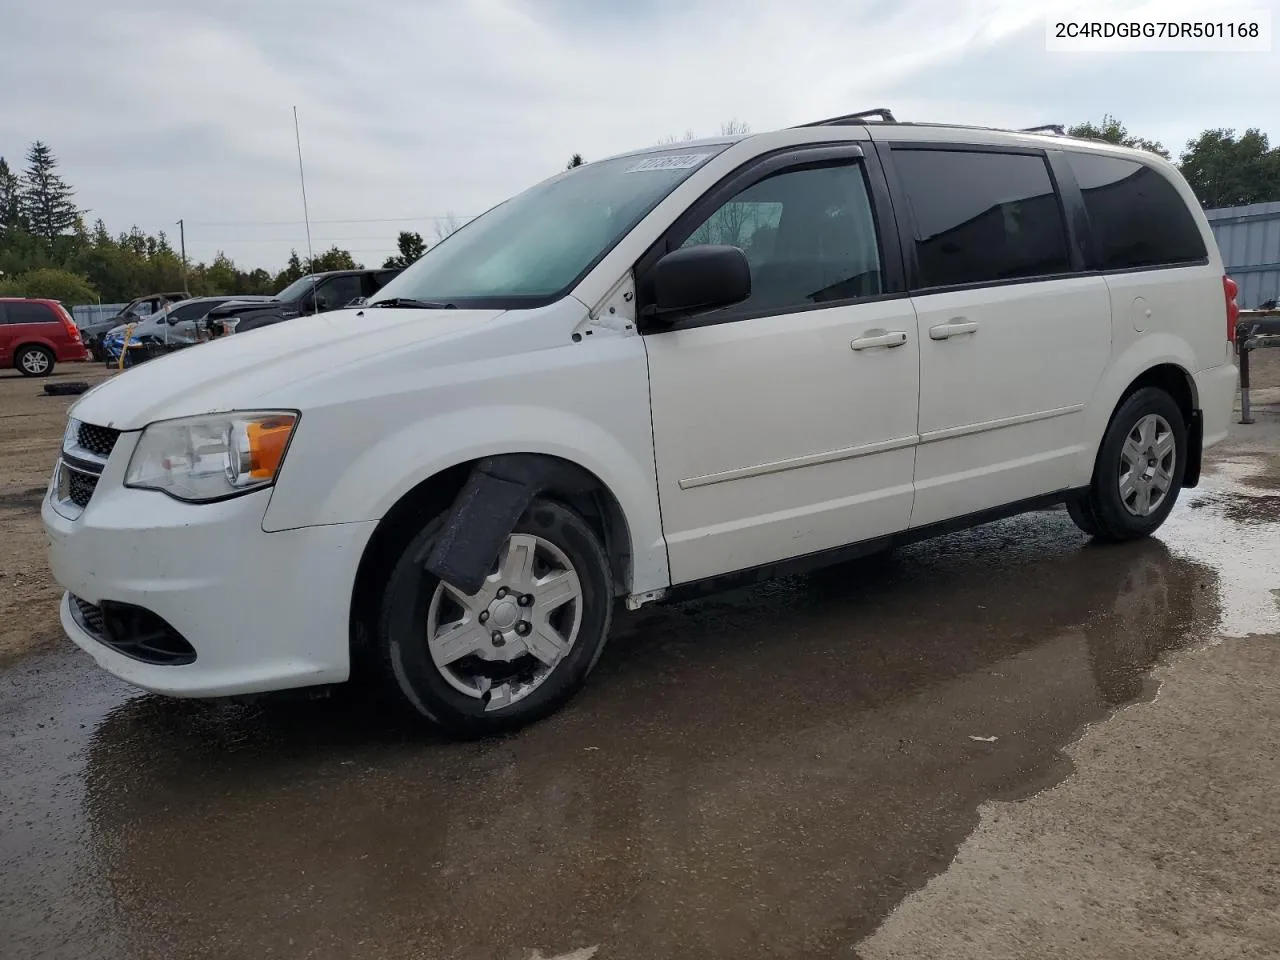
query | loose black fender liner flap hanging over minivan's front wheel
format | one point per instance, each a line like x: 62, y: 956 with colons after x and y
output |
x: 487, y: 509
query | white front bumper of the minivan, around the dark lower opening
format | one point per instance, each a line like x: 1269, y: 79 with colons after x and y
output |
x: 263, y: 611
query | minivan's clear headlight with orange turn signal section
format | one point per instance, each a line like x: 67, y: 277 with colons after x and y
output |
x: 212, y: 458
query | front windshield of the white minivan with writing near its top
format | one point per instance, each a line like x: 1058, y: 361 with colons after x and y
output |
x: 536, y: 246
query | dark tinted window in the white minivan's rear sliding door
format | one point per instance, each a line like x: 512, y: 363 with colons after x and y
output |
x: 982, y: 217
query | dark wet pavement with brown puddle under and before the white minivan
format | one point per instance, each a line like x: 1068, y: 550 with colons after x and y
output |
x: 760, y: 774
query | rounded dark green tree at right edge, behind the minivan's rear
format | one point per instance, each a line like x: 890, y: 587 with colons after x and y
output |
x: 1226, y: 171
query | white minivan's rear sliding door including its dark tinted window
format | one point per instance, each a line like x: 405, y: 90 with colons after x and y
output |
x: 1013, y: 339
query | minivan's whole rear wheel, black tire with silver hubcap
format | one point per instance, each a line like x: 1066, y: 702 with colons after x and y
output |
x: 1139, y: 473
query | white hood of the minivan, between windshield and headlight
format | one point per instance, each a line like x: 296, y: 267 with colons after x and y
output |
x: 258, y: 368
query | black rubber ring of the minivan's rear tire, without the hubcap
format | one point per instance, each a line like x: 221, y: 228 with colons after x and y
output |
x: 1107, y: 491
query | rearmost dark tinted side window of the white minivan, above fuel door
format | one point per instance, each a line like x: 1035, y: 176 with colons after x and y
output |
x: 1137, y: 217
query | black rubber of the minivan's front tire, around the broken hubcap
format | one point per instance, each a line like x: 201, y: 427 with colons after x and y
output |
x: 403, y: 629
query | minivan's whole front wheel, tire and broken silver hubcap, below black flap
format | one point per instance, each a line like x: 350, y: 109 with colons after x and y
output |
x: 465, y: 694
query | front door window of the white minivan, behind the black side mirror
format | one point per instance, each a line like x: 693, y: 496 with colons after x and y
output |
x: 808, y: 235
